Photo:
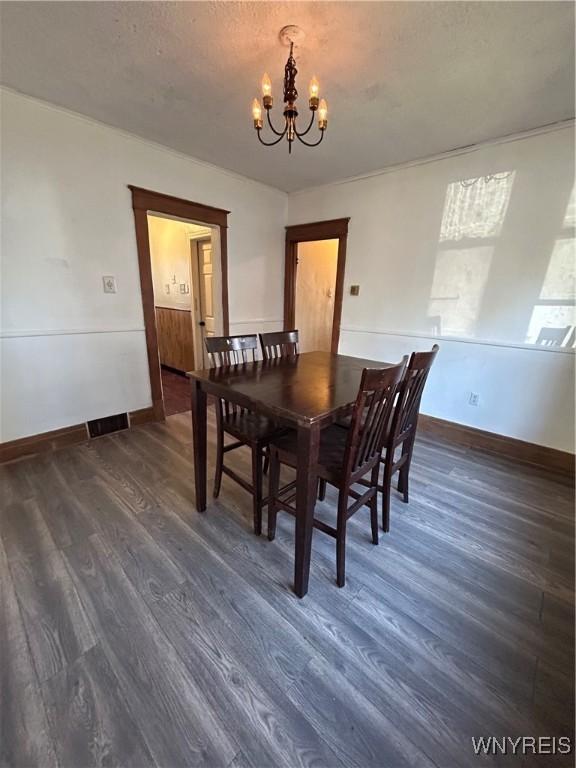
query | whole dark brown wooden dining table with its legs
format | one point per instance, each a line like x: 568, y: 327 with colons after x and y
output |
x: 305, y: 392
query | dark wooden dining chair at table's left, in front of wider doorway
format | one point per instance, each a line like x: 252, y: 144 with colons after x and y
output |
x: 248, y: 428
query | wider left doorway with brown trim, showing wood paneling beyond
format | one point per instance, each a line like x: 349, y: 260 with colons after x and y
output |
x: 174, y: 337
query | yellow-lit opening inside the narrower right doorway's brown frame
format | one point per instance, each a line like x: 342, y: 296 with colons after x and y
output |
x: 316, y: 267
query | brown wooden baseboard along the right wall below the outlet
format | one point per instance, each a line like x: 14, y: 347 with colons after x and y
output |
x: 530, y: 453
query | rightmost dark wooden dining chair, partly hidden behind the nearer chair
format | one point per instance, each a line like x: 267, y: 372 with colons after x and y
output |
x: 403, y: 428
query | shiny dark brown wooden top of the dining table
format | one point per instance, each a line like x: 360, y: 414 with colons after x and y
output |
x: 305, y: 389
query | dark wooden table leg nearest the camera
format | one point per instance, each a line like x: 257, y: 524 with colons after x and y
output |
x: 308, y: 444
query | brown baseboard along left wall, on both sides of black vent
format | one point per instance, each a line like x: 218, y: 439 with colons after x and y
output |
x: 61, y: 438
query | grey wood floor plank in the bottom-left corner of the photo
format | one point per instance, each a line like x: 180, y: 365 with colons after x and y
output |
x: 24, y: 734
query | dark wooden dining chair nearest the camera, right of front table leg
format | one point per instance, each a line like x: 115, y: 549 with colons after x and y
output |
x: 345, y: 457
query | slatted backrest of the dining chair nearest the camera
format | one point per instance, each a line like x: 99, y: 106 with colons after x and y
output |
x: 371, y: 417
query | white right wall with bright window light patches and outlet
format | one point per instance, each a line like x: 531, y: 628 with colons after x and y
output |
x: 508, y: 261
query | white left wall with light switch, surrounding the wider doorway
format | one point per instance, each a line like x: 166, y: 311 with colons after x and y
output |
x: 69, y: 352
